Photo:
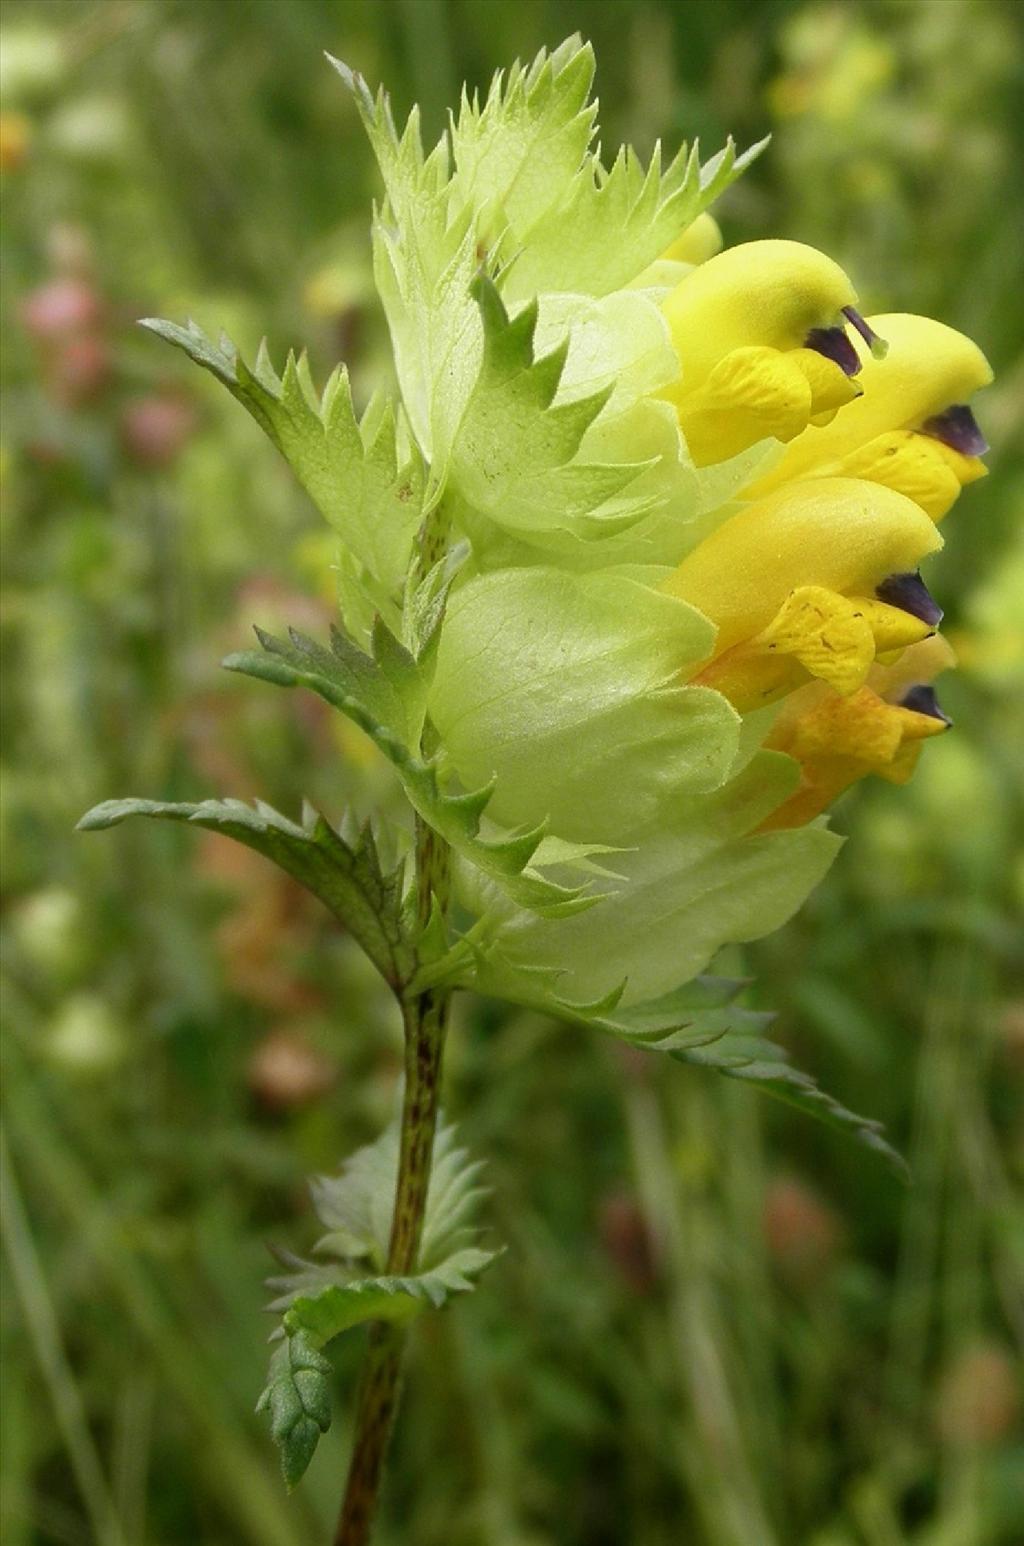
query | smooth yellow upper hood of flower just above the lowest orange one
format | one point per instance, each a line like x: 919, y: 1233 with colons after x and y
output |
x: 835, y: 533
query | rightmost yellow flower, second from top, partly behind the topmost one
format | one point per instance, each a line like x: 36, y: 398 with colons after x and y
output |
x: 912, y: 431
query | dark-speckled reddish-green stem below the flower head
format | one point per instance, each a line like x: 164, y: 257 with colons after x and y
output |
x: 425, y: 1018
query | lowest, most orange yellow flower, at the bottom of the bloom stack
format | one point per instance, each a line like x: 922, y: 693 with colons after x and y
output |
x: 879, y: 730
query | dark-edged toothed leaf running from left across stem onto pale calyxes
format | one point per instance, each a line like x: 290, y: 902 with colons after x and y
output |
x: 511, y: 859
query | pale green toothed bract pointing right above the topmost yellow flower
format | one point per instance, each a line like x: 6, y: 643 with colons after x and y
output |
x: 613, y: 223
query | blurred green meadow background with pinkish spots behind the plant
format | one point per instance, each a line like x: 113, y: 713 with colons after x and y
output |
x: 717, y: 1324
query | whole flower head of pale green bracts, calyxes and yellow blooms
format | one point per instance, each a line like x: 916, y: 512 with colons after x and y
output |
x: 633, y: 559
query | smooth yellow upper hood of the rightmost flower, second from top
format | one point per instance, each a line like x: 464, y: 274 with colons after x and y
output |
x: 929, y: 369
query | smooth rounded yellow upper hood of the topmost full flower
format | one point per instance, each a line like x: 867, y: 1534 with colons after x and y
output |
x: 760, y: 293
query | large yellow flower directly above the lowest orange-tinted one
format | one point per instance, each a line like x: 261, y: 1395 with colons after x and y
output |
x: 816, y: 581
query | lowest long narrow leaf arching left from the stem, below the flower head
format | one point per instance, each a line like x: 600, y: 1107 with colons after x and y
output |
x: 343, y: 871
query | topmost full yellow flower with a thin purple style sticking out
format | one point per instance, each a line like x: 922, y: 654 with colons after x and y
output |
x: 760, y: 333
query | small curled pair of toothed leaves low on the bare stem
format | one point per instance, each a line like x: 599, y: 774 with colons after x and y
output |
x: 324, y: 1299
